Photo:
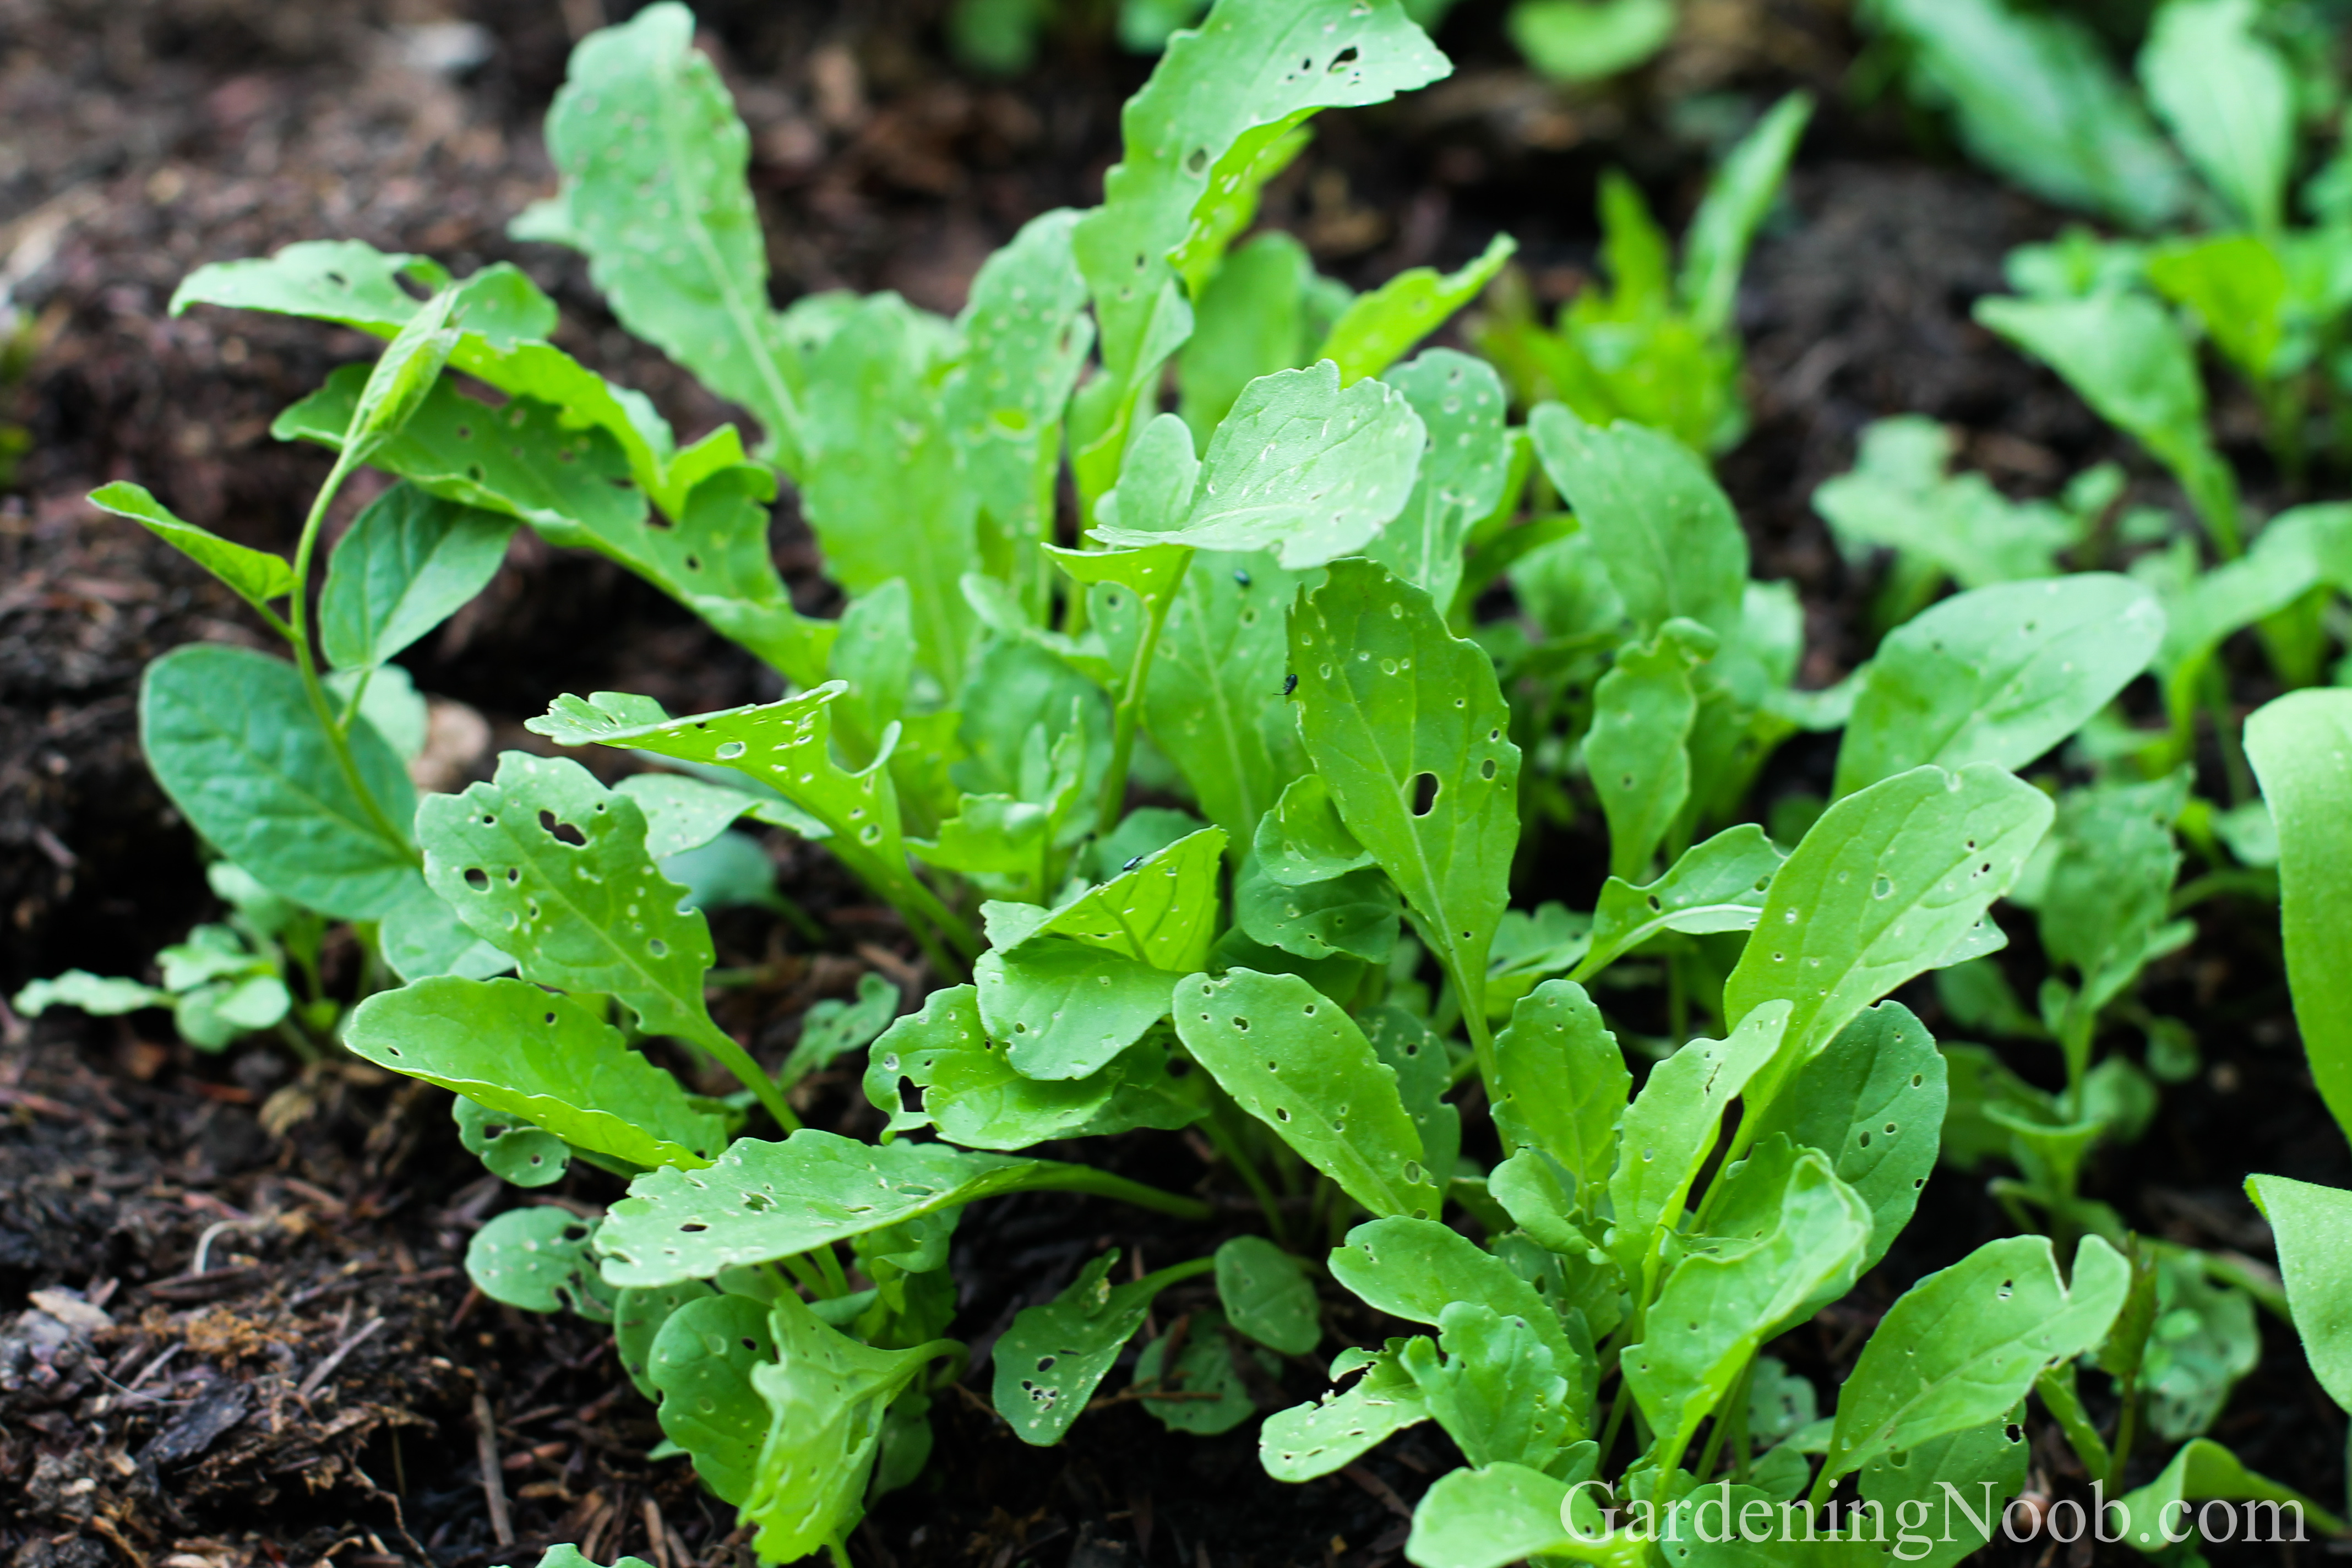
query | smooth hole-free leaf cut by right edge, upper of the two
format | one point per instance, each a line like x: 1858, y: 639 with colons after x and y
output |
x: 2301, y: 749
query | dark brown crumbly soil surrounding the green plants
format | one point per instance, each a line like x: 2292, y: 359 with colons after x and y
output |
x: 234, y: 1322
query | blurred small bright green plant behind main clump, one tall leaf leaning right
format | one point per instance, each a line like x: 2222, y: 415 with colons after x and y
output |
x: 1659, y: 342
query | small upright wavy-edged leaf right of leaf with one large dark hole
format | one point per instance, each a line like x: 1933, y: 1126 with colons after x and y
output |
x: 1638, y: 746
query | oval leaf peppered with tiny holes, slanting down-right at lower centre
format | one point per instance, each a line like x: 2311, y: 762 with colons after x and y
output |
x: 1295, y: 1061
